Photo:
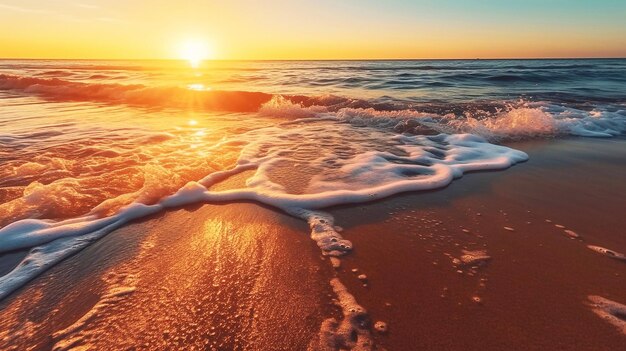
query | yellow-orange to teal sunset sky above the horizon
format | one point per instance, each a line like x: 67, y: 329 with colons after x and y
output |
x: 319, y: 29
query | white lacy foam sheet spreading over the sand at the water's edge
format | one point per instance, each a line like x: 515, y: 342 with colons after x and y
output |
x: 345, y: 165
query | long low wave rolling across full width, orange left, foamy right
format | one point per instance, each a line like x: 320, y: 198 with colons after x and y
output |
x: 494, y: 120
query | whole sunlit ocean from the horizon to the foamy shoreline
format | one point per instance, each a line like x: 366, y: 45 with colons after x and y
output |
x: 88, y: 146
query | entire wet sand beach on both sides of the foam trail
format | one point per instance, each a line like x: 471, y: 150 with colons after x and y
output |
x: 242, y: 276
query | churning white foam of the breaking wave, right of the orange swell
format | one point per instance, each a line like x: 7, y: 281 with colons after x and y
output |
x: 518, y: 120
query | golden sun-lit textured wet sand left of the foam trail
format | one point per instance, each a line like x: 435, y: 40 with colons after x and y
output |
x: 219, y: 283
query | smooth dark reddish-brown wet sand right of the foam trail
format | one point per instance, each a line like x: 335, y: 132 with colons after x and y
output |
x: 538, y: 280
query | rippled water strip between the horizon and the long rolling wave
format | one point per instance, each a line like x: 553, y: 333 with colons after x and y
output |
x: 417, y: 81
